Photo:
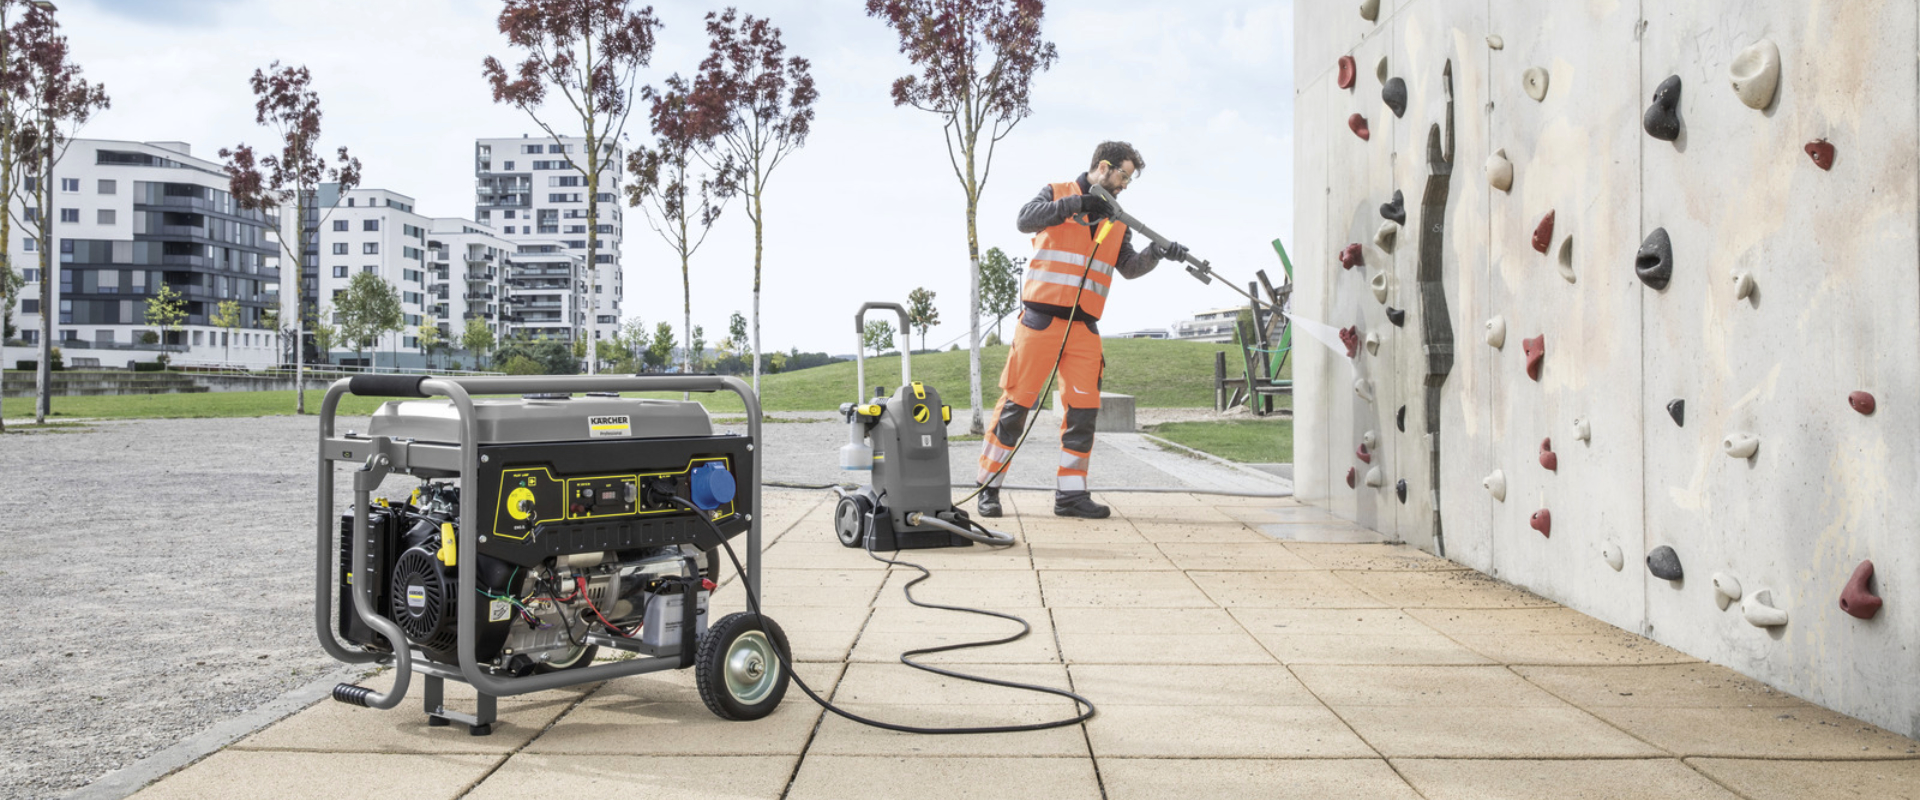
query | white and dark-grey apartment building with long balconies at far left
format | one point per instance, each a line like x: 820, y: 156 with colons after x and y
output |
x: 132, y: 218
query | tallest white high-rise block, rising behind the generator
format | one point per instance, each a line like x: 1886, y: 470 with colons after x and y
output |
x: 533, y: 193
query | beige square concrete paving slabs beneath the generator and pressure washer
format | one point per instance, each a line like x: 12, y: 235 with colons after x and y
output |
x: 1236, y: 647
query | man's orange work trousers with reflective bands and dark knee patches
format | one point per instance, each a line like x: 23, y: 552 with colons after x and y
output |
x: 1032, y: 360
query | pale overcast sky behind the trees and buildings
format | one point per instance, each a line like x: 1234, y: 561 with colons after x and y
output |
x: 869, y: 210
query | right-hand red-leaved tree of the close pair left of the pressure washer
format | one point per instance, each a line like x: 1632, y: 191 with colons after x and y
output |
x: 761, y: 106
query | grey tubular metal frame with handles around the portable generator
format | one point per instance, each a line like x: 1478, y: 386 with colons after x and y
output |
x: 379, y: 458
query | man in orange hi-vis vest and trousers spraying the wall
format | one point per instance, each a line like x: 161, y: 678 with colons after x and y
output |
x: 1076, y: 252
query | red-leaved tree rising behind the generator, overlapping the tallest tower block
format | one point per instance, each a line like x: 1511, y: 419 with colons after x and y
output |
x: 588, y: 53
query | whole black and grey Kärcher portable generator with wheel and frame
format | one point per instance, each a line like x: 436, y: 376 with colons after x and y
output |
x: 544, y: 529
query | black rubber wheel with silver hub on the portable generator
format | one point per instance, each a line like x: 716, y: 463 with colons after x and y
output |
x: 740, y: 667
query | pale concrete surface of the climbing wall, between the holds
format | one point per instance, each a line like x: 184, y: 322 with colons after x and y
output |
x: 1833, y: 252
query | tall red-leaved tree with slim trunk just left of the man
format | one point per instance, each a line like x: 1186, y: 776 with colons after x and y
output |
x: 976, y: 64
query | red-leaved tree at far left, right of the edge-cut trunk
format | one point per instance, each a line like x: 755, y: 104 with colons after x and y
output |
x: 55, y: 103
